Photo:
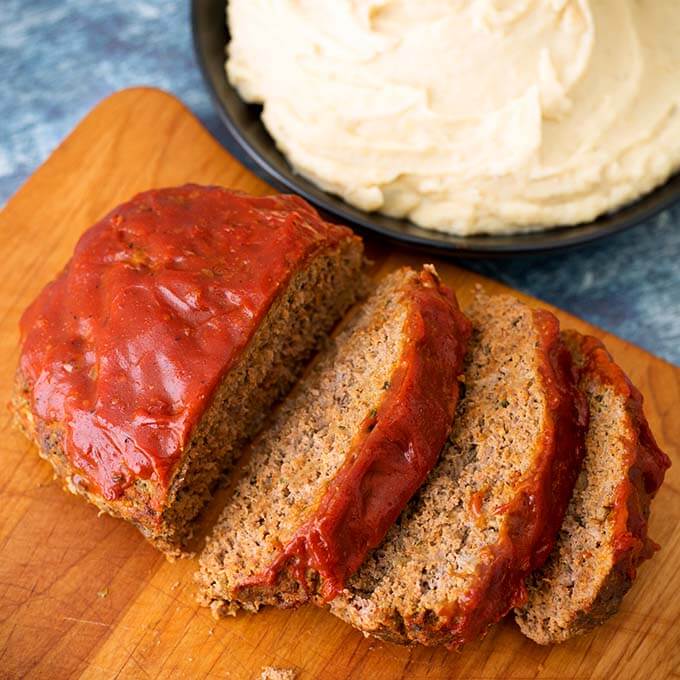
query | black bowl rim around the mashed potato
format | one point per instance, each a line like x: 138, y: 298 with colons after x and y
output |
x: 253, y: 143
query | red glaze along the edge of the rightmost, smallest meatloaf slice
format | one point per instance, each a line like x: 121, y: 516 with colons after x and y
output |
x: 645, y: 461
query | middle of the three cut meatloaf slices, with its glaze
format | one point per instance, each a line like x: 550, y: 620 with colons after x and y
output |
x: 456, y: 560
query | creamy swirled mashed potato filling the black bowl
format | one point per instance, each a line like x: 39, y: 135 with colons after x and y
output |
x: 468, y: 116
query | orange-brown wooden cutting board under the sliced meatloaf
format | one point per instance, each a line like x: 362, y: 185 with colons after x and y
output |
x: 85, y: 596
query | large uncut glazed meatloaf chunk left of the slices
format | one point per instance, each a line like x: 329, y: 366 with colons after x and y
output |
x: 154, y: 355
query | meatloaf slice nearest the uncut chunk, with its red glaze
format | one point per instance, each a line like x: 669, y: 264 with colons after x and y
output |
x: 344, y: 452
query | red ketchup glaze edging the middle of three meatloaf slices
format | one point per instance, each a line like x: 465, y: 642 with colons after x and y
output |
x: 534, y: 516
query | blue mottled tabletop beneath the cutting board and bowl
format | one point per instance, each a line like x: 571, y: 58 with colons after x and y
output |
x: 59, y: 58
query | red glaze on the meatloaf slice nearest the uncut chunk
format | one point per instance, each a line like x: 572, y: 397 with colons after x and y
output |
x: 393, y: 453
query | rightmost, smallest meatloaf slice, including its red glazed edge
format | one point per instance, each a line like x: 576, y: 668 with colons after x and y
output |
x: 604, y: 535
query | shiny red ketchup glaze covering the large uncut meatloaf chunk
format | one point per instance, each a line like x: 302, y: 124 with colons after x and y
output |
x: 127, y: 345
